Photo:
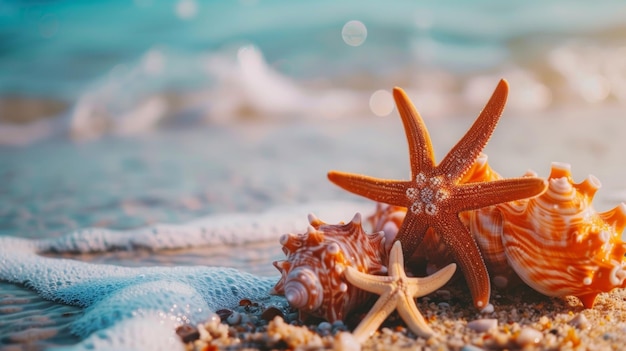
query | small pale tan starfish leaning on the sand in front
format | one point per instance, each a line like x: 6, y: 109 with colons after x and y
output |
x: 397, y: 291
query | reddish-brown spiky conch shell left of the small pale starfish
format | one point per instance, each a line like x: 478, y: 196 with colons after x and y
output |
x: 312, y: 277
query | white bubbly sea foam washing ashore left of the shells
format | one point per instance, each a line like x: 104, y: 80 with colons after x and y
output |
x: 140, y: 308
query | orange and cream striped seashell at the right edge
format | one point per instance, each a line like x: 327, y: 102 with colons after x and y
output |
x: 559, y: 245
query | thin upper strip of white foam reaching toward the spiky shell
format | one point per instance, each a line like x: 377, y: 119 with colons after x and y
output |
x: 219, y: 229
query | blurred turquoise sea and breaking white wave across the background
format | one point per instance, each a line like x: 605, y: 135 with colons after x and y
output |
x: 126, y: 68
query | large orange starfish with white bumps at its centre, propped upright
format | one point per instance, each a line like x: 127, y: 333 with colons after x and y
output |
x: 435, y: 195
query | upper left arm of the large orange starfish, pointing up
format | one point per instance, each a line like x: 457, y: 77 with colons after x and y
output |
x: 421, y: 151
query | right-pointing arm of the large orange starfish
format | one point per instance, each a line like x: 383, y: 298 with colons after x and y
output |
x: 472, y: 196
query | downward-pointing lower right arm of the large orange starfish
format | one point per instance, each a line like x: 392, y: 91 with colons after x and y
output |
x: 467, y: 255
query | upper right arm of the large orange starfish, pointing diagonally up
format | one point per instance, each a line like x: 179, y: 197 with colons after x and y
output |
x: 458, y: 161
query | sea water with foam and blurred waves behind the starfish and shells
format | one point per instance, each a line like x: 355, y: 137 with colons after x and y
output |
x: 152, y: 144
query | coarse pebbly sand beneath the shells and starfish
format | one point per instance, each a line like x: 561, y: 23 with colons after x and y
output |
x: 522, y: 320
